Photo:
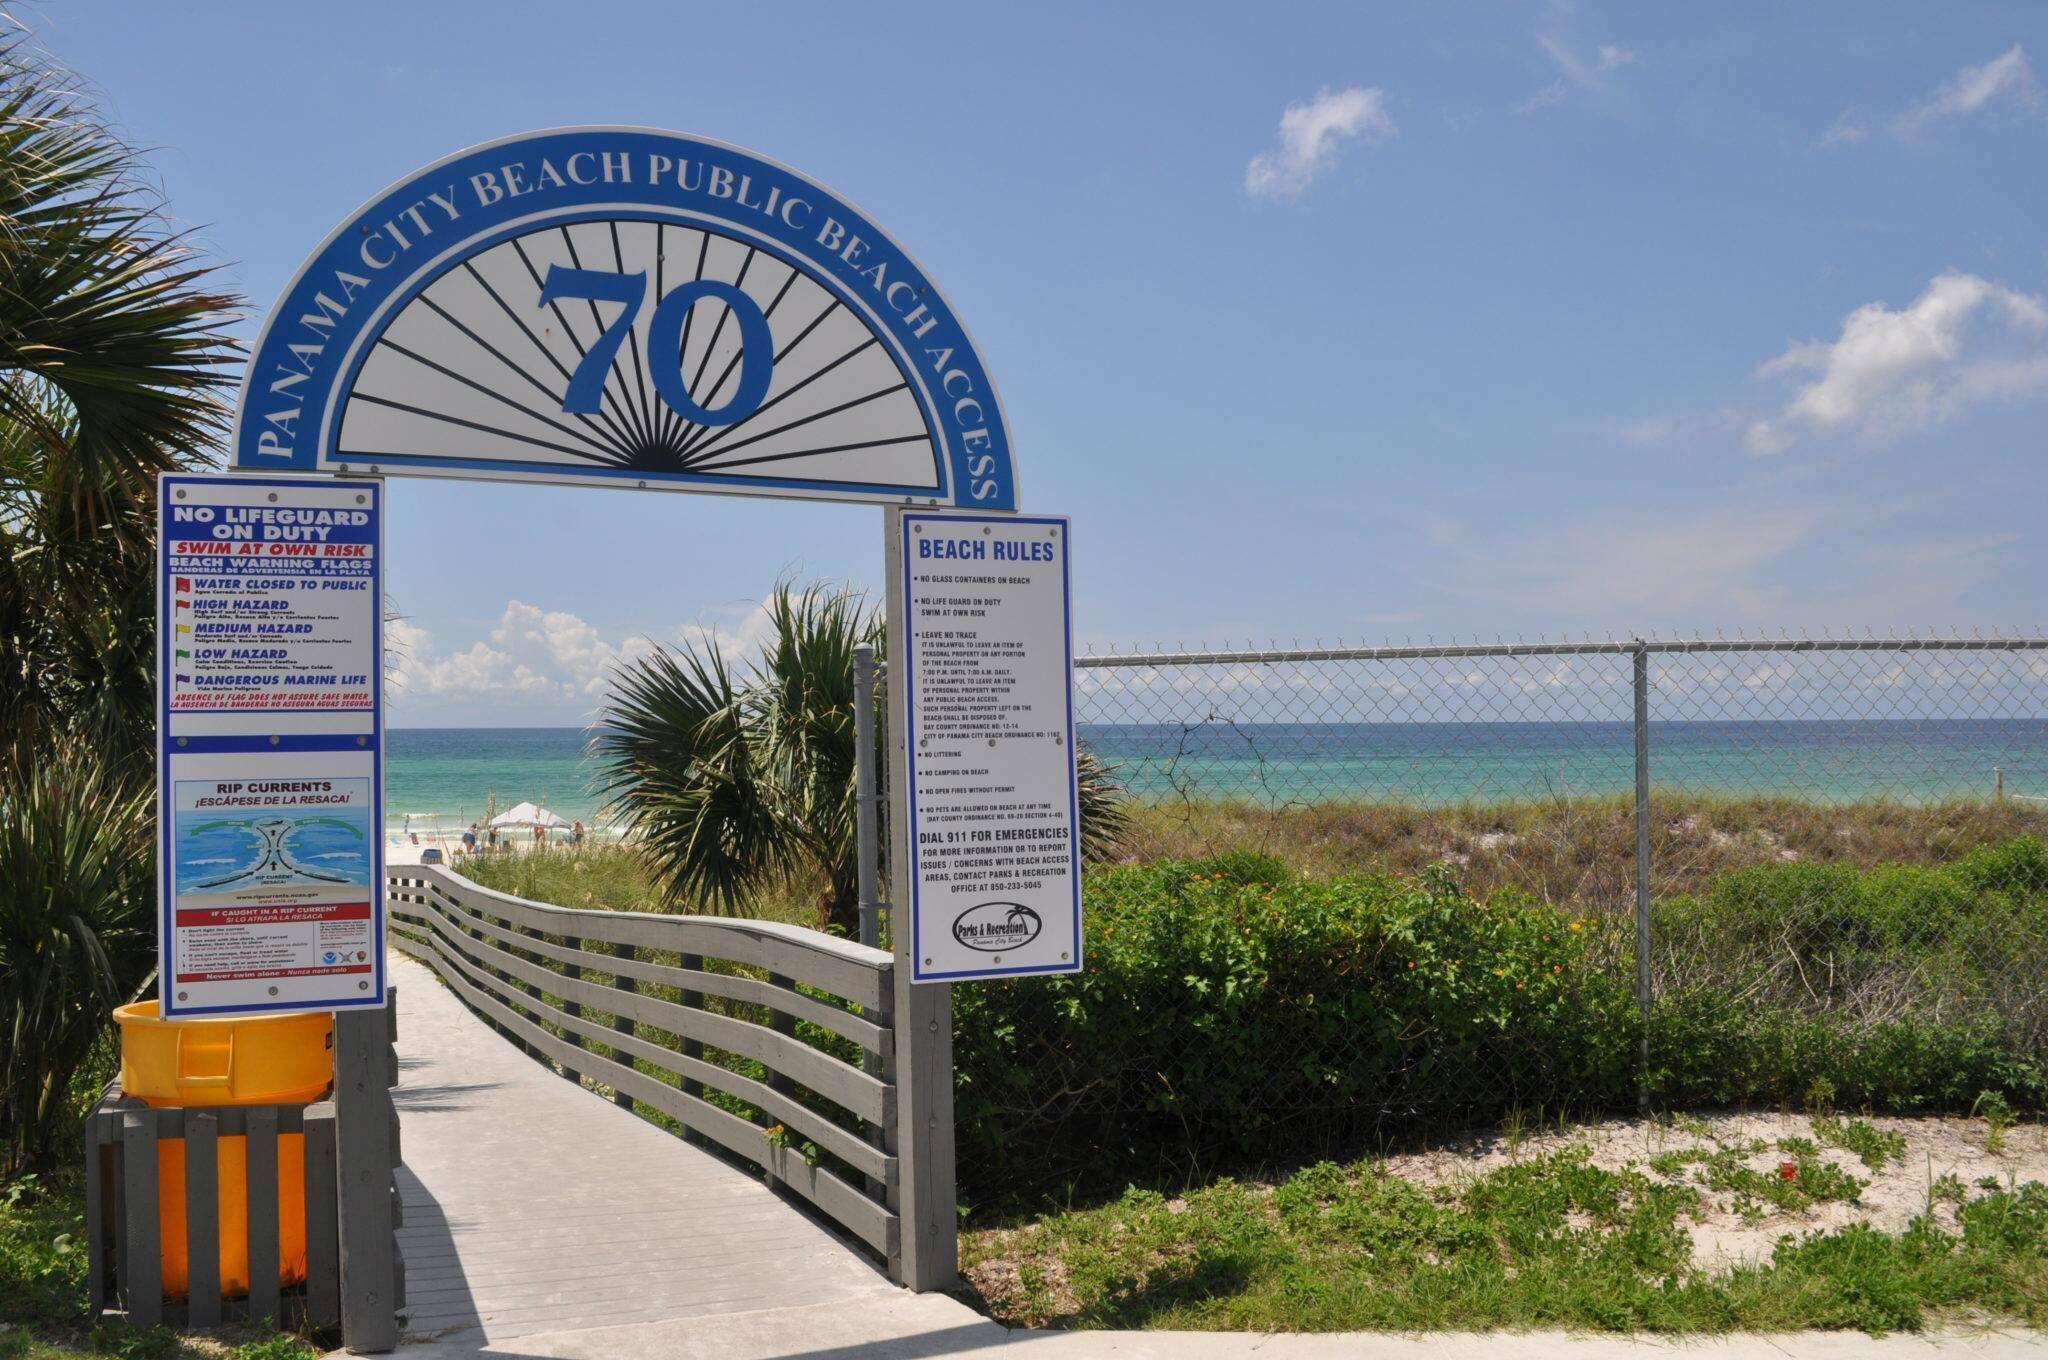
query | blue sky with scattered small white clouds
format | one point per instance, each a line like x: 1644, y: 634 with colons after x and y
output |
x: 1320, y: 321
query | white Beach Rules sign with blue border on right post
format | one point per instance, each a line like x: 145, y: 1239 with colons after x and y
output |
x: 994, y: 810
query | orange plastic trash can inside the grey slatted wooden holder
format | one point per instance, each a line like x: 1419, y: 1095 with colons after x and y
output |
x: 228, y: 1062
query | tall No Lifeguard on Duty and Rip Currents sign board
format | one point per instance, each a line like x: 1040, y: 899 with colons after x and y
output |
x: 269, y: 745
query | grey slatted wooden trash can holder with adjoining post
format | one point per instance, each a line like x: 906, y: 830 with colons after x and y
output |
x: 355, y: 1279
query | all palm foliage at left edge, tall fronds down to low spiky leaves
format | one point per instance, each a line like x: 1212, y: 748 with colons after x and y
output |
x: 112, y: 372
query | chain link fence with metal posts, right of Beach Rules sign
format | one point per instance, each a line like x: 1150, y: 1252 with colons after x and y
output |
x: 1791, y: 874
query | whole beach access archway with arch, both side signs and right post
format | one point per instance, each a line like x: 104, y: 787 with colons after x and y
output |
x: 634, y: 308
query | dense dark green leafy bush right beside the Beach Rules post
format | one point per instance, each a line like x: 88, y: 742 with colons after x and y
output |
x: 1234, y: 1013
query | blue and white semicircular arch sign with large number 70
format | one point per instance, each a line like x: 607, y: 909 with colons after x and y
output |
x: 626, y: 308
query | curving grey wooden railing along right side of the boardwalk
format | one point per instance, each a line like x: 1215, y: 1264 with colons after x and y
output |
x: 769, y: 1042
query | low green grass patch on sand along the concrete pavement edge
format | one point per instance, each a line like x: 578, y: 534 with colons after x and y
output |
x: 1549, y: 1242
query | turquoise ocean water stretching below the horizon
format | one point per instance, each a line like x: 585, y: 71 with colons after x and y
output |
x: 441, y: 777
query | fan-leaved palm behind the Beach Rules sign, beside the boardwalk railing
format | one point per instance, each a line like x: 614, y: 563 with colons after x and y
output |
x: 738, y: 781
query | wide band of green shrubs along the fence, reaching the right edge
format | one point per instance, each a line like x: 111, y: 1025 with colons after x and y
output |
x: 1238, y: 1015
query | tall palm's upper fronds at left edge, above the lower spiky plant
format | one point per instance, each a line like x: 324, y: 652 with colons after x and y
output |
x: 112, y: 370
